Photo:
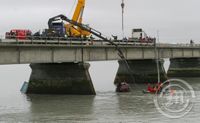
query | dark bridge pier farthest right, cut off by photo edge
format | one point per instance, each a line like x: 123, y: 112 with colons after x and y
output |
x: 184, y: 67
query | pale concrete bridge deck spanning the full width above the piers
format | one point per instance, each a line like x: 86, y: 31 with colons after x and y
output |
x: 20, y: 52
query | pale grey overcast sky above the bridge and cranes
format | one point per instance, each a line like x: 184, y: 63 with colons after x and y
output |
x: 176, y: 20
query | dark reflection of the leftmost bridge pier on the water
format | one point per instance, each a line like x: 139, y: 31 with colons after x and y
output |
x: 53, y: 108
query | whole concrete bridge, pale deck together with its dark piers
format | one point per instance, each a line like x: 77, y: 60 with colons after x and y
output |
x: 60, y: 68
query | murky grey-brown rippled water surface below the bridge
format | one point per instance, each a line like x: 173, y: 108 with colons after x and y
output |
x: 104, y: 107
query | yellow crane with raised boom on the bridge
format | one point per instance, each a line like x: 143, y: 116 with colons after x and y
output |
x: 72, y: 30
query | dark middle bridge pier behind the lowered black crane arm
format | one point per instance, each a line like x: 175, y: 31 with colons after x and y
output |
x: 144, y: 71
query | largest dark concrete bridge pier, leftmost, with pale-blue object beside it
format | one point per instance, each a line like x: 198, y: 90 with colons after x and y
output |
x: 60, y: 78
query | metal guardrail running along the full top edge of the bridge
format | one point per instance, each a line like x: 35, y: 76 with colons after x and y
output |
x: 79, y: 41
